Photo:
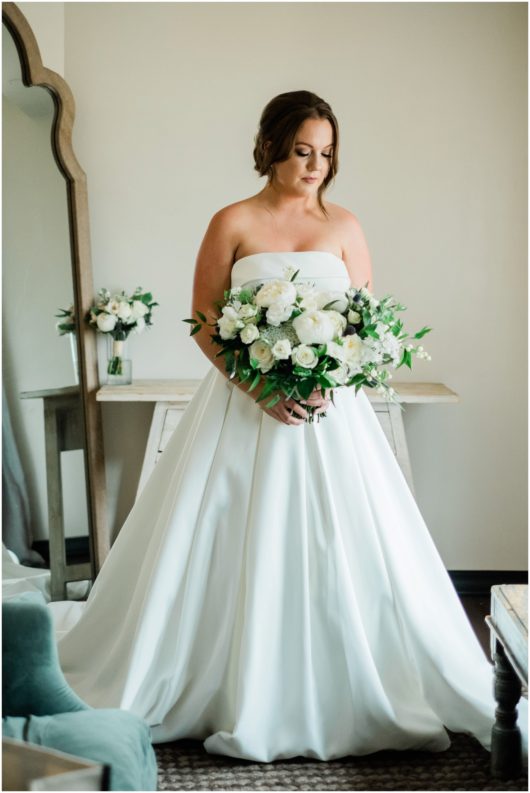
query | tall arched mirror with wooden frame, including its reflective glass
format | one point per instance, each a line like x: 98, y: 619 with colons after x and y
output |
x: 53, y: 479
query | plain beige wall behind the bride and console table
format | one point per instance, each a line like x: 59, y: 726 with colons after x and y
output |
x: 432, y: 102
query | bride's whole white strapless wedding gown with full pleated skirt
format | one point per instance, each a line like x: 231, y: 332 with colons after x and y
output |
x: 275, y: 591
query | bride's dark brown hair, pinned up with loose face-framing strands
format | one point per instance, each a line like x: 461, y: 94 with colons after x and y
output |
x: 279, y: 123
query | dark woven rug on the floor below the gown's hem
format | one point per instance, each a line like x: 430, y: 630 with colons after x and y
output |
x: 184, y: 765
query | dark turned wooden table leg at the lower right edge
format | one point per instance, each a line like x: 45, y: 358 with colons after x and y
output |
x: 506, y: 747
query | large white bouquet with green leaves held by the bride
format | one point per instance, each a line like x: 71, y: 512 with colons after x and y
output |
x: 299, y: 338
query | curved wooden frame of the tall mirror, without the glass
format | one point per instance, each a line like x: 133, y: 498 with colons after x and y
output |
x: 35, y: 74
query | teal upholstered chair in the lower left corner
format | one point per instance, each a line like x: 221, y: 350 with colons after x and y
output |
x: 38, y: 705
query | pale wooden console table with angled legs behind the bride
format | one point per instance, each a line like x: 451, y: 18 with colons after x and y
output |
x: 172, y: 396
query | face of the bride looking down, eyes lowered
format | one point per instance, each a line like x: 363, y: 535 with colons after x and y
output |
x: 310, y: 159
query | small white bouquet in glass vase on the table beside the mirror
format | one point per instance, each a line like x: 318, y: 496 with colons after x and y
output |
x: 118, y: 316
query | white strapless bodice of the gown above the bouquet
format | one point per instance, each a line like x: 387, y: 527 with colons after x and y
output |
x: 325, y: 269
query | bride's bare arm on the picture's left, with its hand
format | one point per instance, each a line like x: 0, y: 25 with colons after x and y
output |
x: 211, y: 279
